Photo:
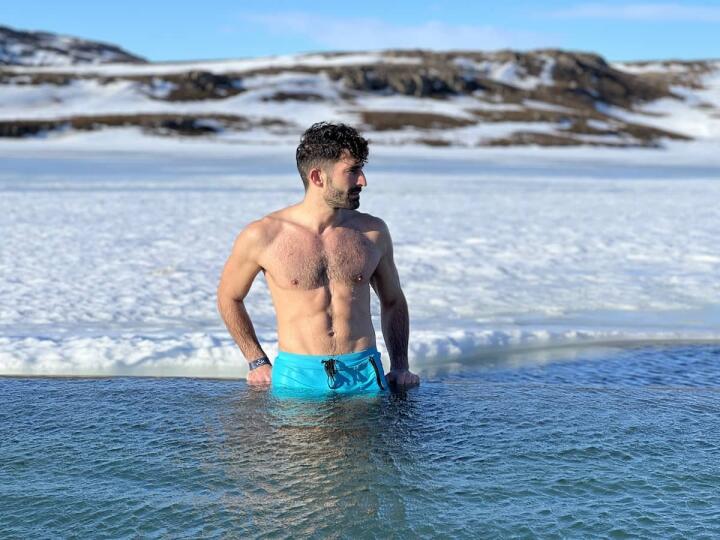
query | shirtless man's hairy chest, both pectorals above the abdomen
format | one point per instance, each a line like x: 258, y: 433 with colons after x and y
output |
x: 301, y: 260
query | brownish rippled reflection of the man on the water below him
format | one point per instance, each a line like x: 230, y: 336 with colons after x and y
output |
x: 324, y: 454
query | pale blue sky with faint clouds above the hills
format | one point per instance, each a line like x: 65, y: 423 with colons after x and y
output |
x: 164, y: 30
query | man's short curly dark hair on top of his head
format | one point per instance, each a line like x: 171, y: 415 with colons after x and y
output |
x: 323, y: 143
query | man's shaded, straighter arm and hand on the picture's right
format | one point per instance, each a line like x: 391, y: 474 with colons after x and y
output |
x: 394, y: 316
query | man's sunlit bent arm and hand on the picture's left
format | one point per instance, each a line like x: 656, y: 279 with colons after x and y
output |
x: 238, y: 274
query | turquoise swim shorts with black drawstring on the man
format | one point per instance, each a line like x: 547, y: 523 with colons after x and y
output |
x: 357, y: 372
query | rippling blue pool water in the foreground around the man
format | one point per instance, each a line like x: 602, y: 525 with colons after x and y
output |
x: 616, y: 443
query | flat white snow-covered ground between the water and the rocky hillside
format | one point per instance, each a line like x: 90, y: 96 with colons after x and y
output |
x: 112, y: 245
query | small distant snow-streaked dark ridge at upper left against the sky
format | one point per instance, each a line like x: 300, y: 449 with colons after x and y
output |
x: 23, y: 48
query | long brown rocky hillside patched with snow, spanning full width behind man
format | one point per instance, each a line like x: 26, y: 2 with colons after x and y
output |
x: 459, y: 98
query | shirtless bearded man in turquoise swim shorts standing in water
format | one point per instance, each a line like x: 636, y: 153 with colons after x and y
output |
x: 320, y: 257
